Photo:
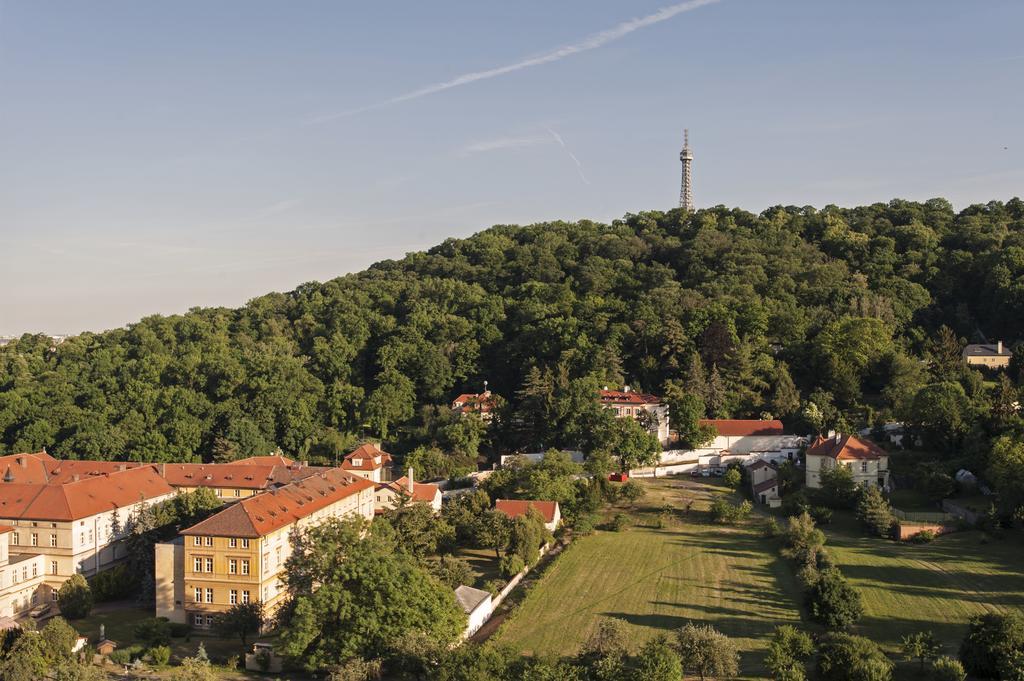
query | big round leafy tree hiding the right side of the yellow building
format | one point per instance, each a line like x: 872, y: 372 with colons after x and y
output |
x: 354, y: 594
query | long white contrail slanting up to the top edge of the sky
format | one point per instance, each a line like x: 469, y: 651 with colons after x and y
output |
x: 591, y: 42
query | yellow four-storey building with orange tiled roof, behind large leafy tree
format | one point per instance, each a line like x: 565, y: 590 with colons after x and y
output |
x: 239, y: 555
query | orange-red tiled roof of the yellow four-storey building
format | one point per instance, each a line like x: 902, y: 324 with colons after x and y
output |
x: 262, y: 515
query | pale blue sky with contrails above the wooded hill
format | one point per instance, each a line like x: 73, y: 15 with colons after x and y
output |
x: 161, y: 156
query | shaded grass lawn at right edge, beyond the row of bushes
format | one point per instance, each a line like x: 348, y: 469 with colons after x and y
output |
x: 909, y: 588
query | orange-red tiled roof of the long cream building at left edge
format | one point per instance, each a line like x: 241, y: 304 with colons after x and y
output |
x: 81, y: 499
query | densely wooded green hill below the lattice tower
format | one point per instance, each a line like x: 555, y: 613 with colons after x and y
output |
x: 723, y: 304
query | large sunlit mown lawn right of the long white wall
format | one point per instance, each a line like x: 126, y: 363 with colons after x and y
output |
x: 658, y: 579
